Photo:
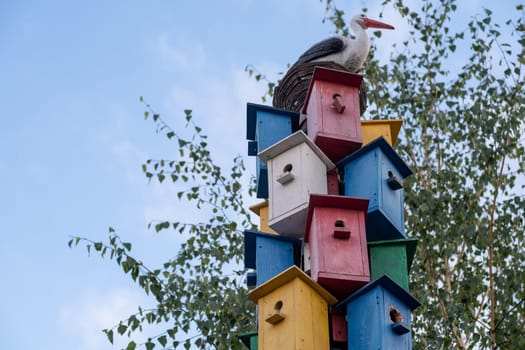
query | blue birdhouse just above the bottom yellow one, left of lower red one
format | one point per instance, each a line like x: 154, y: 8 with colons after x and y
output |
x: 270, y: 254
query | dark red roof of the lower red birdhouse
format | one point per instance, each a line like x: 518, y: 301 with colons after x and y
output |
x: 332, y: 201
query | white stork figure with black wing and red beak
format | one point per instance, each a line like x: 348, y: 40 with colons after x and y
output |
x: 348, y: 52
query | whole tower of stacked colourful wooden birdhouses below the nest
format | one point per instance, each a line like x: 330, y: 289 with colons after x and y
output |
x: 329, y: 266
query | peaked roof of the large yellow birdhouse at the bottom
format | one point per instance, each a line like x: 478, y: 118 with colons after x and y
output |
x: 285, y: 277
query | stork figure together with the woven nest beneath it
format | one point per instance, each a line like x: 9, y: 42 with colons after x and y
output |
x: 338, y: 52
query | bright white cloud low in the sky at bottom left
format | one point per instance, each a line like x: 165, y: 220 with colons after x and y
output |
x: 95, y: 310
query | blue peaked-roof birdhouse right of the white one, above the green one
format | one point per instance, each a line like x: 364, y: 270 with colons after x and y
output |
x: 377, y: 172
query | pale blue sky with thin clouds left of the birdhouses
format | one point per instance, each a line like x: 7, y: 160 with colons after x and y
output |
x: 74, y: 138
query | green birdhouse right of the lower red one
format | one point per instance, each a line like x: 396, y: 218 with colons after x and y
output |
x: 392, y: 257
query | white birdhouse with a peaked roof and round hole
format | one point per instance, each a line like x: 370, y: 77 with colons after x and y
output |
x: 296, y: 168
